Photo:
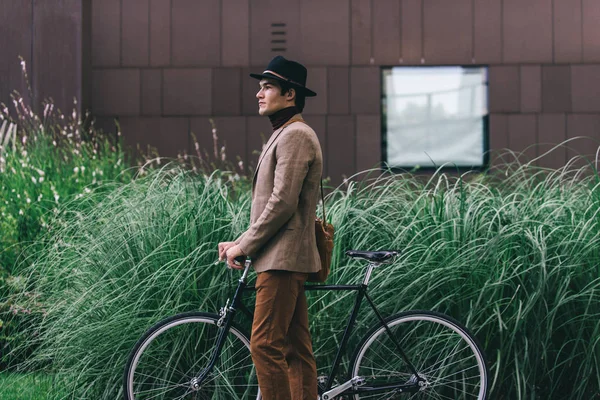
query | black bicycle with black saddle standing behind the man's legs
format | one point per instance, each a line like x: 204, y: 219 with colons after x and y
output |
x: 413, y: 354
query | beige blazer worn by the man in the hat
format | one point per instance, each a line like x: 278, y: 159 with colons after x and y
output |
x: 285, y: 192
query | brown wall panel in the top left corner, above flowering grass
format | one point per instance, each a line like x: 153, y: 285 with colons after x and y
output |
x: 15, y: 40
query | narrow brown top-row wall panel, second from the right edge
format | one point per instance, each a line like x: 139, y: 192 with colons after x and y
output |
x: 567, y: 31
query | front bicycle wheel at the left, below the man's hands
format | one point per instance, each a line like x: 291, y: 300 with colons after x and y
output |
x: 167, y: 360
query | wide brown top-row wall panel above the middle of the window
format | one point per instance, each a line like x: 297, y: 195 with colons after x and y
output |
x: 448, y: 27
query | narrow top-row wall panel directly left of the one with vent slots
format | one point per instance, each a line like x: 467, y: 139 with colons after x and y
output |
x: 235, y: 48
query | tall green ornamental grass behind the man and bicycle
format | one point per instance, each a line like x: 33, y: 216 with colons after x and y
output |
x: 516, y: 258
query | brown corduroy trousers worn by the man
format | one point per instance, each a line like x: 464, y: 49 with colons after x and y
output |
x: 281, y: 344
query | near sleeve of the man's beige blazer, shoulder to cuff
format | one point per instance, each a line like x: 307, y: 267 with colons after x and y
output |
x: 294, y: 155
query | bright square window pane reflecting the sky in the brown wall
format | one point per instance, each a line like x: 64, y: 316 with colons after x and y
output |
x: 435, y: 115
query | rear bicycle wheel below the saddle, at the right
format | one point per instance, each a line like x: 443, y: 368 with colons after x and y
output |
x: 447, y: 358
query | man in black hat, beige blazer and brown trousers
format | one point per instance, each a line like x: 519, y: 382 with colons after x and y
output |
x: 281, y: 237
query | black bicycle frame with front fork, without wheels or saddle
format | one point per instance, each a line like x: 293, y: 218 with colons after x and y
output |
x: 362, y: 293
